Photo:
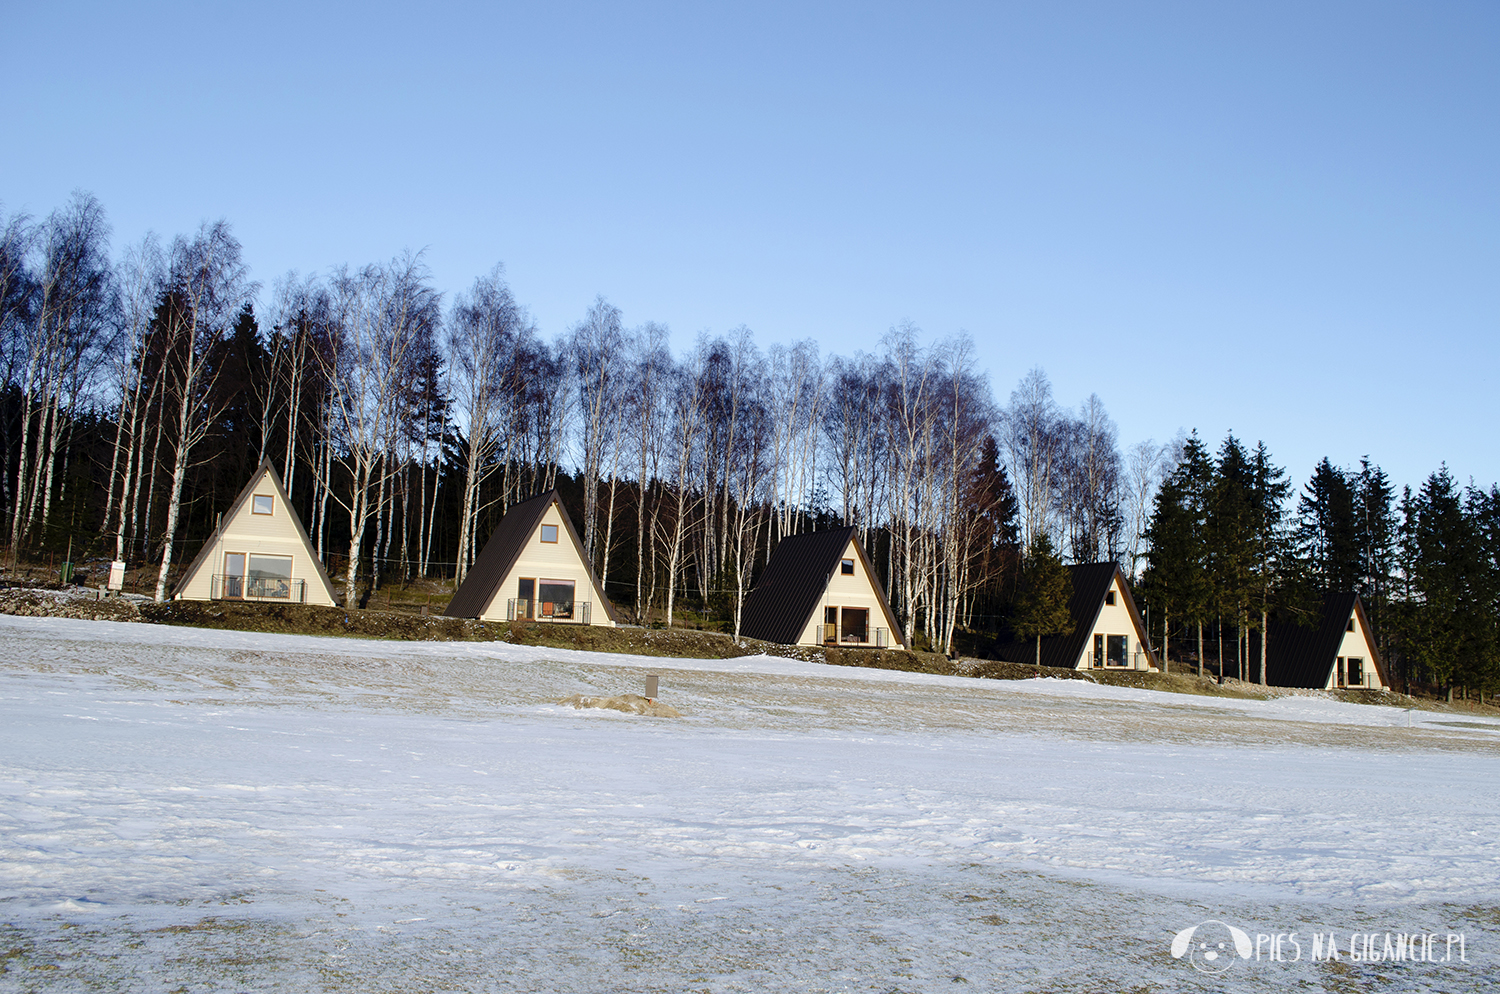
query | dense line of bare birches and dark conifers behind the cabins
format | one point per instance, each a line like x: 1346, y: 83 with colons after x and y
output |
x: 139, y: 394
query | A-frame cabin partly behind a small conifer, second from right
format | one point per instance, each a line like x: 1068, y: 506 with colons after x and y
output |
x: 1108, y: 630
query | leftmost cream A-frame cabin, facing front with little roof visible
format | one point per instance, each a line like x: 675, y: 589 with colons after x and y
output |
x: 259, y: 552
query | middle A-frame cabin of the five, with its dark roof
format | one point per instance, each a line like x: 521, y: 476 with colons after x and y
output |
x: 820, y: 588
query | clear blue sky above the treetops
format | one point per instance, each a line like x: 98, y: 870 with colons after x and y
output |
x: 1274, y: 220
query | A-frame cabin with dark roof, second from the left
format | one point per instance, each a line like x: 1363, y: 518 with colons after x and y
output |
x: 533, y: 569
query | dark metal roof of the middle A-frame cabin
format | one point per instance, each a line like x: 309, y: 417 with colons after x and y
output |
x: 793, y: 585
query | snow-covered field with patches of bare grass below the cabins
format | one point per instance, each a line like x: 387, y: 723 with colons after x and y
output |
x: 214, y: 810
